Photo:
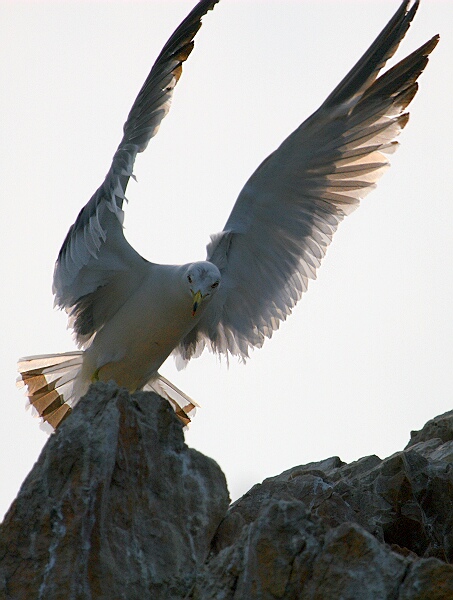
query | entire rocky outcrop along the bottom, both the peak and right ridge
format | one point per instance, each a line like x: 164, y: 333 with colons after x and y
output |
x: 118, y: 507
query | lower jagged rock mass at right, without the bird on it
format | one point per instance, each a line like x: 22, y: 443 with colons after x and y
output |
x: 373, y: 529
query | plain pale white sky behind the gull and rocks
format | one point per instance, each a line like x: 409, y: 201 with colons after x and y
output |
x: 368, y: 353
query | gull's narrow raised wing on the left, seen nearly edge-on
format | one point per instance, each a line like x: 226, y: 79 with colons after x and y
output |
x: 97, y: 269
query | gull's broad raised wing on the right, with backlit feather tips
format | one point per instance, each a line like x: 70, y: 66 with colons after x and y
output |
x: 288, y: 211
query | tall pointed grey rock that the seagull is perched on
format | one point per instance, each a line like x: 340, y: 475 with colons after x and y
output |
x: 116, y: 507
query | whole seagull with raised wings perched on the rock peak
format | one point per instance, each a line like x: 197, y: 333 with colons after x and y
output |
x: 129, y: 314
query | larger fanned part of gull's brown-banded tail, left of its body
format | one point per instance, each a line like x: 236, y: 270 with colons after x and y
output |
x: 49, y: 382
